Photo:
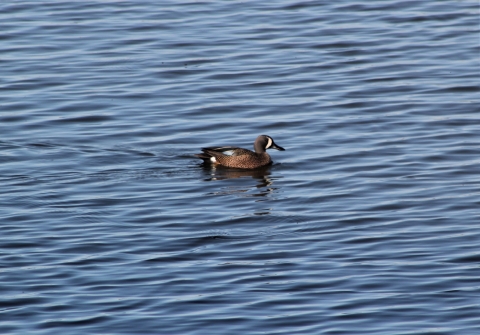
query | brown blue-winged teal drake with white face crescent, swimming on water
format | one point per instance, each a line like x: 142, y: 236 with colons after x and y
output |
x: 240, y: 158
